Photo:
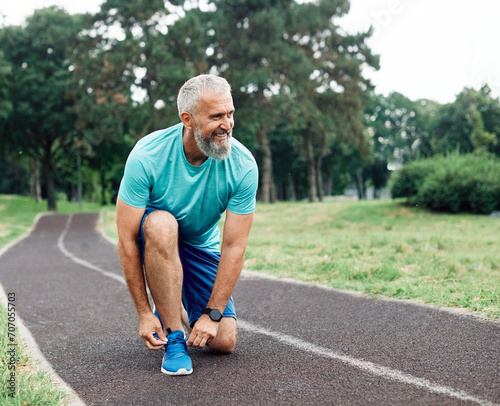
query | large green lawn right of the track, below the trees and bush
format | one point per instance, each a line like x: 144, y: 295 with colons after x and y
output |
x: 379, y: 248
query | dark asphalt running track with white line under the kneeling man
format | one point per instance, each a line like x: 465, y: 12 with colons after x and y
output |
x: 298, y: 344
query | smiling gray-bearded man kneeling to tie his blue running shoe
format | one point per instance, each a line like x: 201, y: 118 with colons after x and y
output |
x: 177, y: 184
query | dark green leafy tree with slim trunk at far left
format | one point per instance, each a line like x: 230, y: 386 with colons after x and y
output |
x: 40, y: 58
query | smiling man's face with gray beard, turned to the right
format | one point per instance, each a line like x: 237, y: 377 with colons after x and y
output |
x: 214, y: 124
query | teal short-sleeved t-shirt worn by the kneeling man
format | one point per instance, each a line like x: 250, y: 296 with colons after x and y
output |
x: 157, y: 174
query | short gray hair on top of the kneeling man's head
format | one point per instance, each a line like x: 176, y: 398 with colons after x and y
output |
x: 191, y: 92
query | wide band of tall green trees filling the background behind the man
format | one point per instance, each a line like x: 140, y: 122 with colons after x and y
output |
x: 89, y: 86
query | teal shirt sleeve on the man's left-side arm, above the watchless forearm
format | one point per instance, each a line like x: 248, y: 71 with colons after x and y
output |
x: 135, y: 185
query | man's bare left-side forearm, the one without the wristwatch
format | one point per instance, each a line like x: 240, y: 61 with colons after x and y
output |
x: 134, y: 276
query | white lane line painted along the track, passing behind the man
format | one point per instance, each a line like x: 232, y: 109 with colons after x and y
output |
x: 370, y: 367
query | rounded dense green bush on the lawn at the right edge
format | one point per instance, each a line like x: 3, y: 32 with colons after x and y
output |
x: 456, y: 183
